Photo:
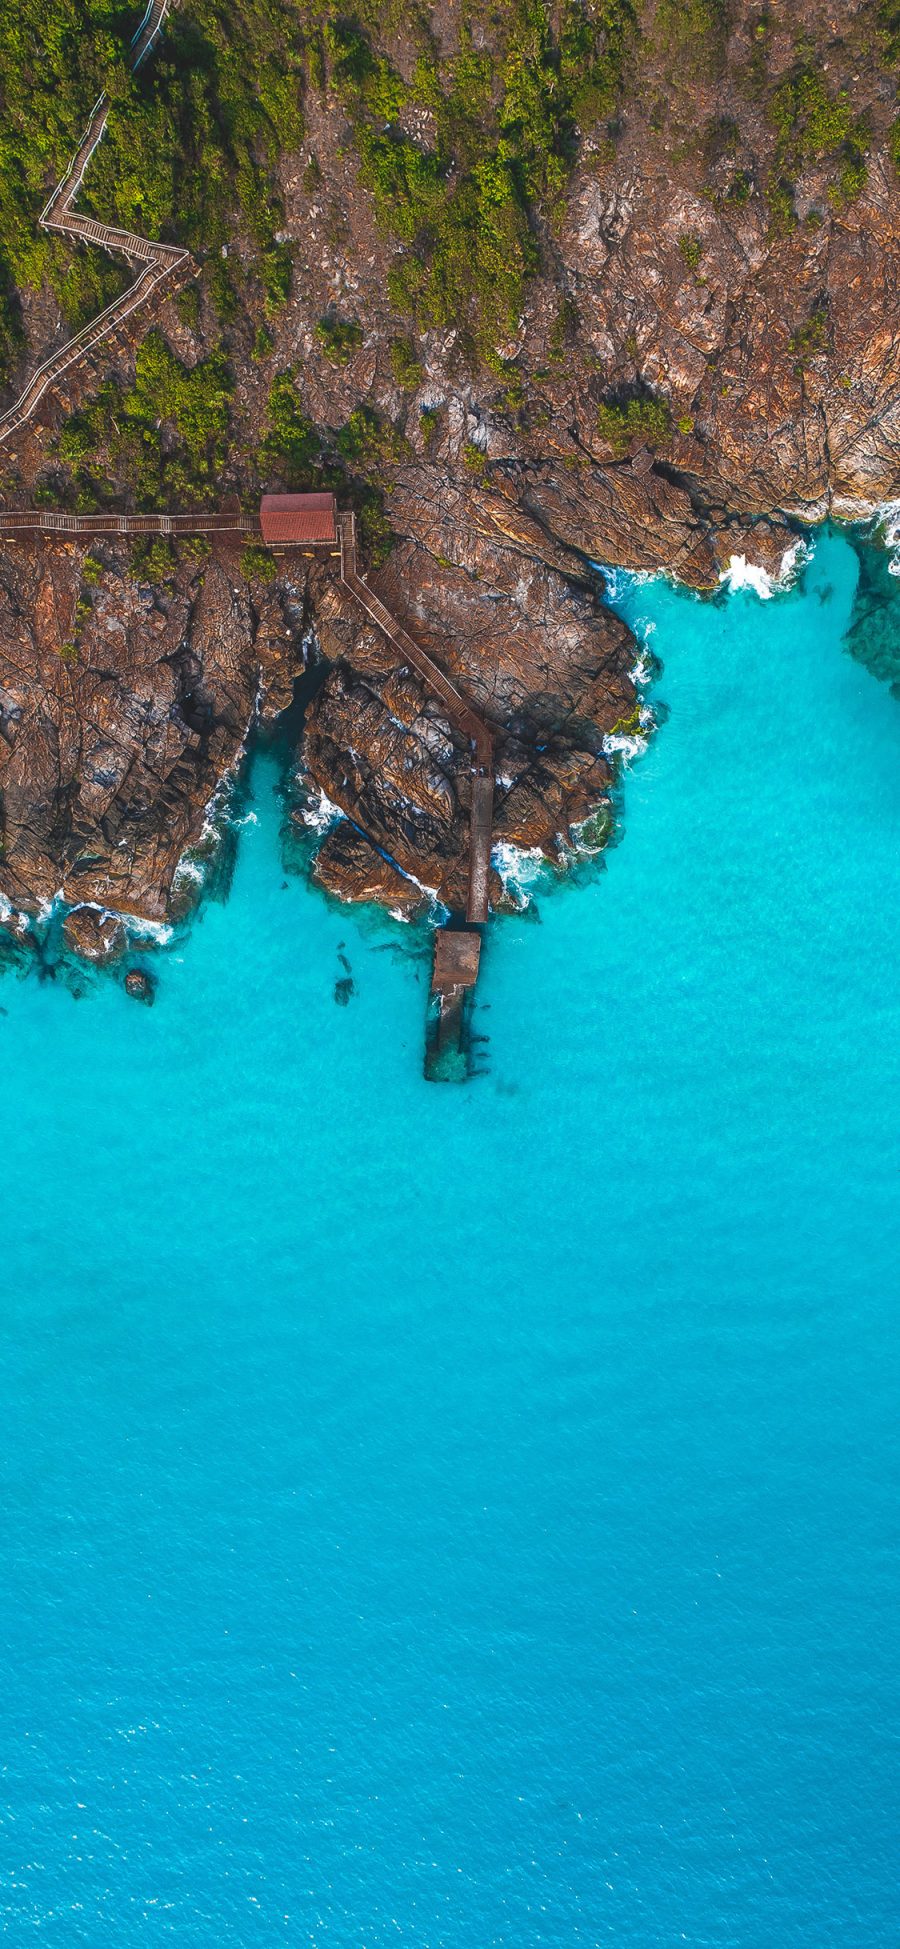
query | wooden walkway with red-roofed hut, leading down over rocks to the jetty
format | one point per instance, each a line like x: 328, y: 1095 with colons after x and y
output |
x: 313, y: 523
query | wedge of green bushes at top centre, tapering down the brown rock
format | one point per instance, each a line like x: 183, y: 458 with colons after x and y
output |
x: 506, y: 137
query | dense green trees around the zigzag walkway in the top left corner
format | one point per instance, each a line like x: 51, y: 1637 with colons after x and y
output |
x: 190, y: 139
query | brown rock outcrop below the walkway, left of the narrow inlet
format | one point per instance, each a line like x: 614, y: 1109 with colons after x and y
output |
x: 120, y: 708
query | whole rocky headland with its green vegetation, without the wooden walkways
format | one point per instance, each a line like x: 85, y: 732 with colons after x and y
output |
x: 533, y: 291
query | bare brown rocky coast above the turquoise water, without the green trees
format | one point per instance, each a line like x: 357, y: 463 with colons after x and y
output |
x: 693, y: 379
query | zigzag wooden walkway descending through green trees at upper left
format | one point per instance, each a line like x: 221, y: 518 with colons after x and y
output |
x: 161, y: 266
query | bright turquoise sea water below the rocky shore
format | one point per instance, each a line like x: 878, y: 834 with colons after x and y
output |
x: 470, y: 1517
